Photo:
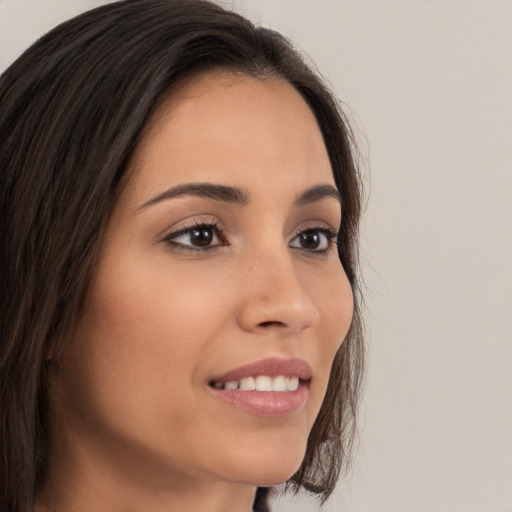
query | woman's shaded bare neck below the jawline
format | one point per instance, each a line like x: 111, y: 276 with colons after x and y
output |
x: 85, y: 483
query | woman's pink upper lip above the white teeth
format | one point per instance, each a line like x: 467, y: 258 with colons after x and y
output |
x: 272, y: 367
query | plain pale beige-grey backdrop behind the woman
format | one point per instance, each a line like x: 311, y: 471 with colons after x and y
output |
x: 428, y: 84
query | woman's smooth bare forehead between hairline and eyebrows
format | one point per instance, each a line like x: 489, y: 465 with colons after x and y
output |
x: 234, y: 130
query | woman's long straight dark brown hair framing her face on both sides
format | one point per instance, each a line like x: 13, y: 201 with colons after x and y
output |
x: 72, y: 109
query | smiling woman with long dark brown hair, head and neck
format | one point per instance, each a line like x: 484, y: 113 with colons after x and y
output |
x: 180, y: 317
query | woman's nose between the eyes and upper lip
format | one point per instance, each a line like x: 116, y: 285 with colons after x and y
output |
x: 276, y: 297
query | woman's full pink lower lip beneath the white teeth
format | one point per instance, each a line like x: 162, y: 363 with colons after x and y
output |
x: 272, y: 404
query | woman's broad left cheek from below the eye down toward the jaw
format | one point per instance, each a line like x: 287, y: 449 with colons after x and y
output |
x: 142, y: 338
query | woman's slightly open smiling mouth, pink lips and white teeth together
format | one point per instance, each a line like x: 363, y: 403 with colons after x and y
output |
x: 272, y: 387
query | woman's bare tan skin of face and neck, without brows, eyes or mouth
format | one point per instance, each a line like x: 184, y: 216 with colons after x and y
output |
x: 134, y: 424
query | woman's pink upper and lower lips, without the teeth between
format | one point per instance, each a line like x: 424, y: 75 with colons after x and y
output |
x: 271, y: 404
